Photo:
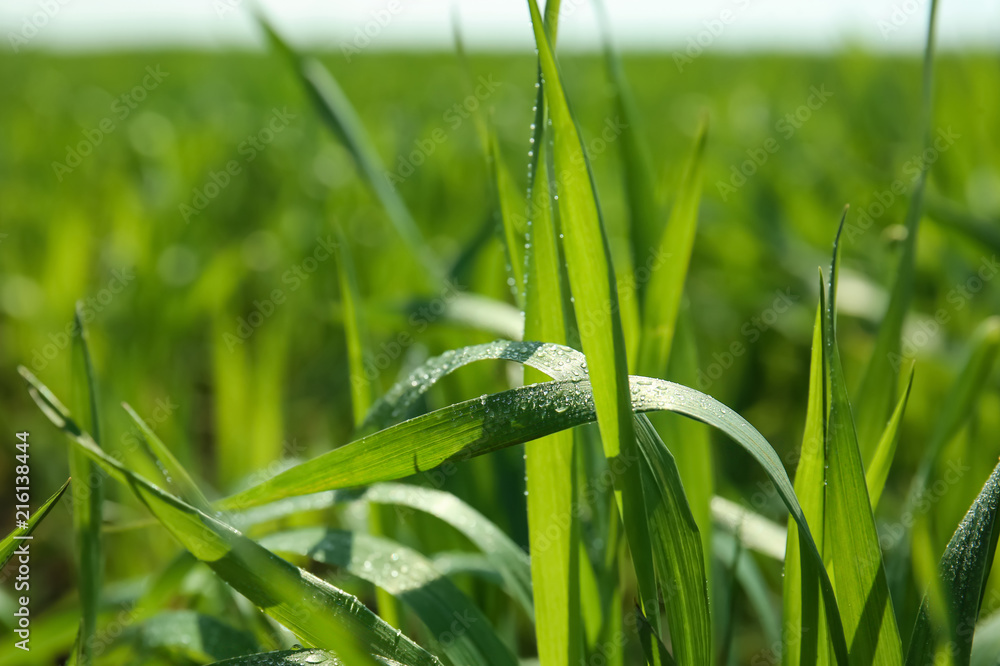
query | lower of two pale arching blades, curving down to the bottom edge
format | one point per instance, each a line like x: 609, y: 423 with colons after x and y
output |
x: 464, y: 633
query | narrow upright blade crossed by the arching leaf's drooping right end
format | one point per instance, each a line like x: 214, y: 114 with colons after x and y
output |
x: 805, y: 631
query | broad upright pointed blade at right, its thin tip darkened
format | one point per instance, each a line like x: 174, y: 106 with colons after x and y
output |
x: 855, y: 551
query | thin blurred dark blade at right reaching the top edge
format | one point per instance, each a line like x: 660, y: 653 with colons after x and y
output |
x: 879, y: 383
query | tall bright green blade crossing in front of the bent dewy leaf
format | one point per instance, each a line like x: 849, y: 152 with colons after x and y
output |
x: 592, y: 282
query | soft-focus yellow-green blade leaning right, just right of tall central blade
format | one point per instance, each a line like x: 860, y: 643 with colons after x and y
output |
x: 665, y: 289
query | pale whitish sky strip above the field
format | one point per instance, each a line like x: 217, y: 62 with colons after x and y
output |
x: 491, y: 25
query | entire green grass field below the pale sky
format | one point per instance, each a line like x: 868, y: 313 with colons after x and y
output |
x: 212, y: 226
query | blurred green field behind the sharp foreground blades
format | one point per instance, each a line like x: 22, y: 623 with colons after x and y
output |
x: 169, y: 341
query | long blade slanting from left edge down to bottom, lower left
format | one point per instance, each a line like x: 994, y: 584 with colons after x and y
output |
x: 316, y: 611
